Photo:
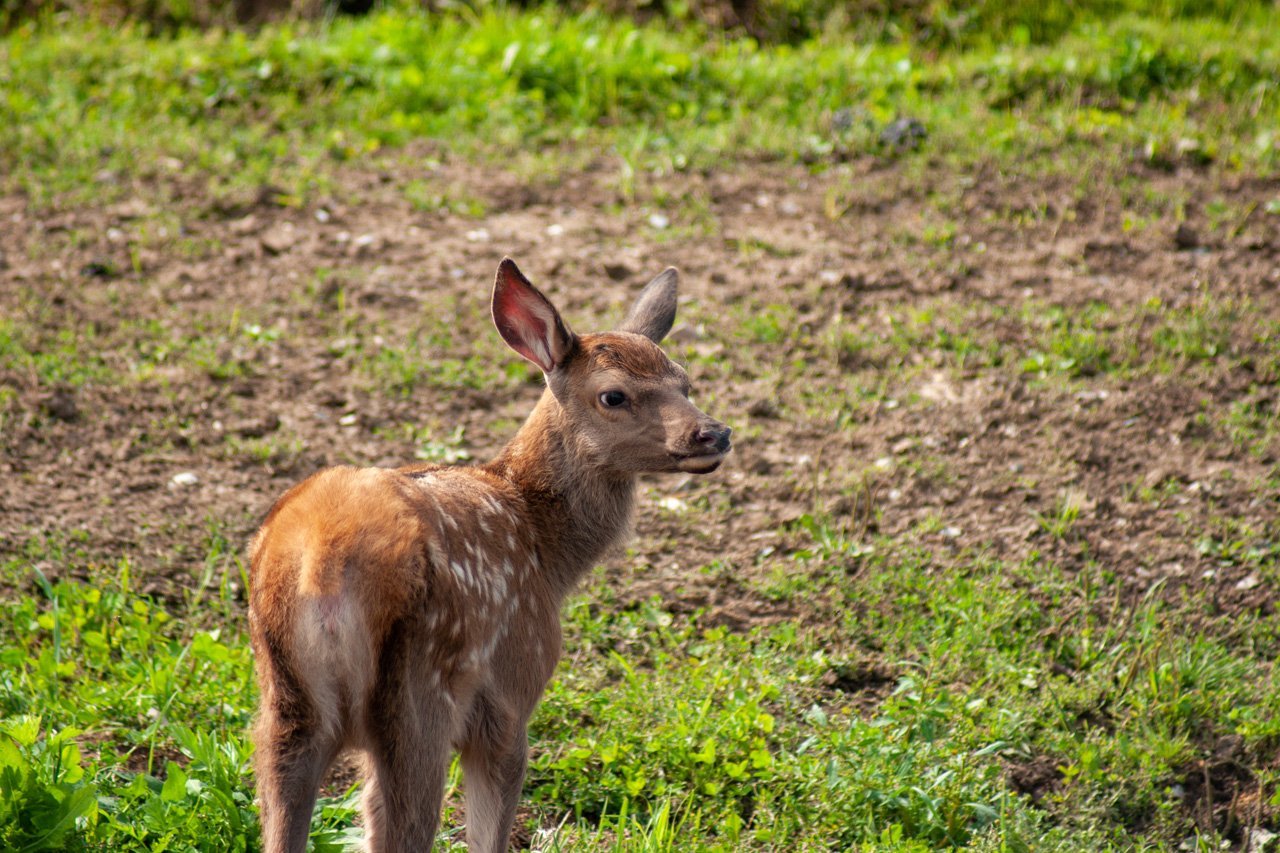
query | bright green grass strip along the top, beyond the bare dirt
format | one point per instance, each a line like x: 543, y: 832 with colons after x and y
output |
x: 284, y: 106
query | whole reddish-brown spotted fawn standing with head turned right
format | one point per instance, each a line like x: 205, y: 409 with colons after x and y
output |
x: 415, y: 612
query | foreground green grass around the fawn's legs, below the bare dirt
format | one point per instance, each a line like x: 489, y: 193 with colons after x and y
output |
x: 656, y: 723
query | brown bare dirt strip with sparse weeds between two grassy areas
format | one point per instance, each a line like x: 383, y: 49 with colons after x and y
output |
x: 982, y: 451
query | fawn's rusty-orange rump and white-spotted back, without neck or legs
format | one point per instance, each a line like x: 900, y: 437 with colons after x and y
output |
x: 350, y: 558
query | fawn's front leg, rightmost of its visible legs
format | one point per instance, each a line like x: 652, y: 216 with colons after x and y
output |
x: 495, y: 756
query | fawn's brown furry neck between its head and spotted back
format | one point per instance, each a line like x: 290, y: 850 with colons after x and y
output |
x: 579, y: 509
